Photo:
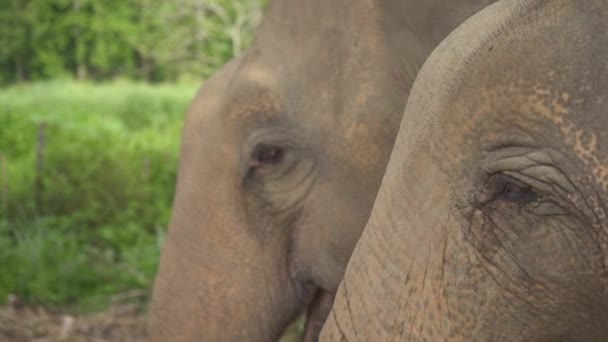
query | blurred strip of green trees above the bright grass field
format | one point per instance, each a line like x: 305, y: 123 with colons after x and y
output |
x: 152, y: 40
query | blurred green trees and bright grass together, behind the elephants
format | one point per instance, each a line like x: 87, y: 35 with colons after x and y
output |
x: 91, y: 111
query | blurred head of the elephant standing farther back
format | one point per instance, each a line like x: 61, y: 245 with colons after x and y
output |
x: 283, y: 152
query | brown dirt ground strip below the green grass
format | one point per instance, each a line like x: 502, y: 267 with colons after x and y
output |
x: 122, y: 322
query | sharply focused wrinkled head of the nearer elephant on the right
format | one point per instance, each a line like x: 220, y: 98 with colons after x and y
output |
x: 491, y: 223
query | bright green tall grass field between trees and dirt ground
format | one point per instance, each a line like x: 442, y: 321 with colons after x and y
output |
x: 89, y: 222
